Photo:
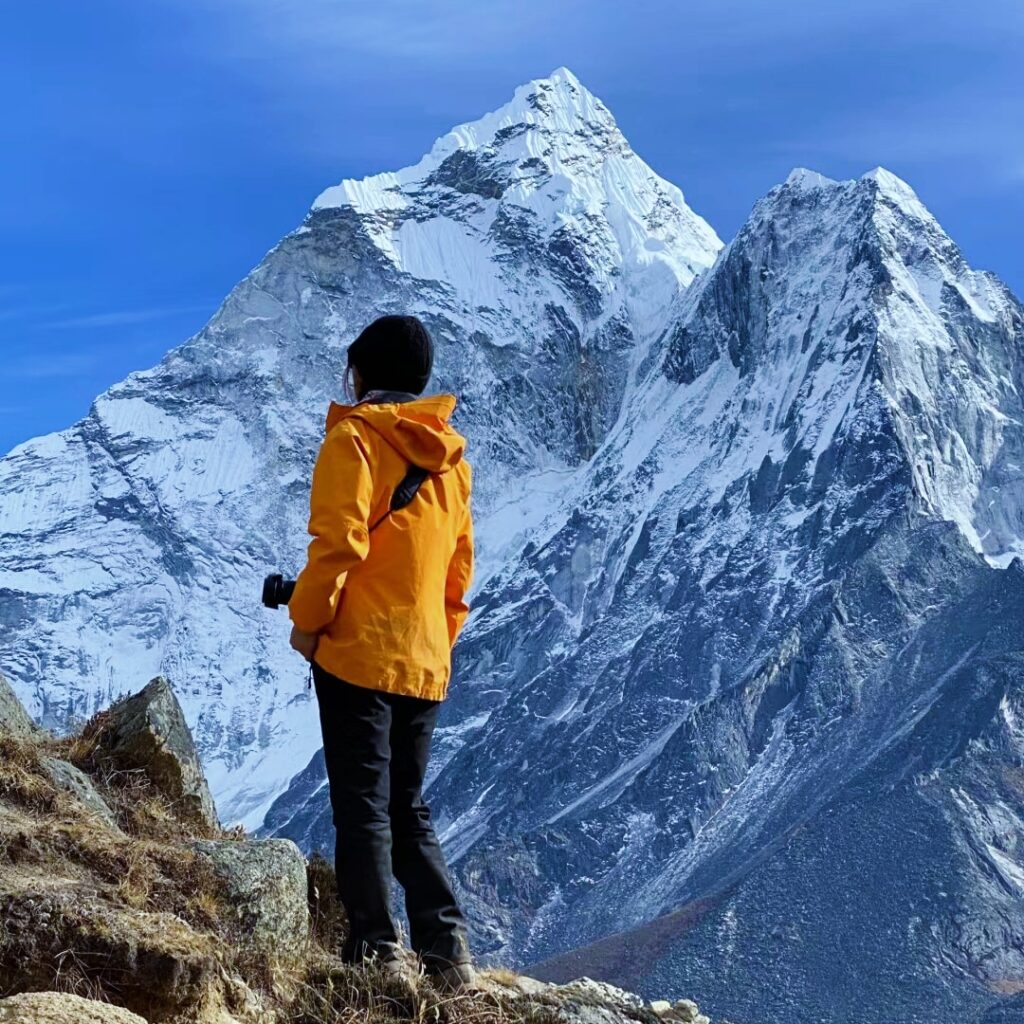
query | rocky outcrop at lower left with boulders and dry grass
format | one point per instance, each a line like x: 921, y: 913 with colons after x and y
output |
x: 140, y: 916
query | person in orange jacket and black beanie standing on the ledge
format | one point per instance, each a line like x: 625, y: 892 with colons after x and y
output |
x: 376, y: 612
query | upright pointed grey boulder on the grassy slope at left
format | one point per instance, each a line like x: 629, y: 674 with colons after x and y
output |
x: 149, y: 732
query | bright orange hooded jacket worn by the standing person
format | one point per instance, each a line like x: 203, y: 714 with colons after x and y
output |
x: 389, y: 605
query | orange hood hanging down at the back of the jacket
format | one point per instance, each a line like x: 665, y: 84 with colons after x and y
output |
x: 419, y: 431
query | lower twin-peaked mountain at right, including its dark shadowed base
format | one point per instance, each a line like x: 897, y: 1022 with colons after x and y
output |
x: 766, y: 662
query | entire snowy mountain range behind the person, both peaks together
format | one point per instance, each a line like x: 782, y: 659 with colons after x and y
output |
x: 744, y: 684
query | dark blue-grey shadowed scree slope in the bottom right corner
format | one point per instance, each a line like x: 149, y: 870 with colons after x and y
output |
x: 893, y: 847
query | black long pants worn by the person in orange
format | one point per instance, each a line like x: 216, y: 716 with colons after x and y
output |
x: 376, y: 746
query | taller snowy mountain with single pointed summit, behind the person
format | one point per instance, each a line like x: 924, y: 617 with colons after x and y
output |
x: 541, y: 251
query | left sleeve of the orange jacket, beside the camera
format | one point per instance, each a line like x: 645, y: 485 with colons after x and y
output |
x: 339, y: 515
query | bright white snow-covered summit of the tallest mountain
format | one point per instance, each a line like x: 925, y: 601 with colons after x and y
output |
x: 549, y: 164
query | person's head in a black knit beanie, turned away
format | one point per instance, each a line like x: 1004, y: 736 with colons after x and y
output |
x: 394, y: 354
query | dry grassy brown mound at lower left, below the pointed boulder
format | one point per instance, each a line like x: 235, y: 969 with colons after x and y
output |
x: 132, y: 915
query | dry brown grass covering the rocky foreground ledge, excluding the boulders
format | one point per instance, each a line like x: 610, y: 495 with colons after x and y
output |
x: 134, y: 916
